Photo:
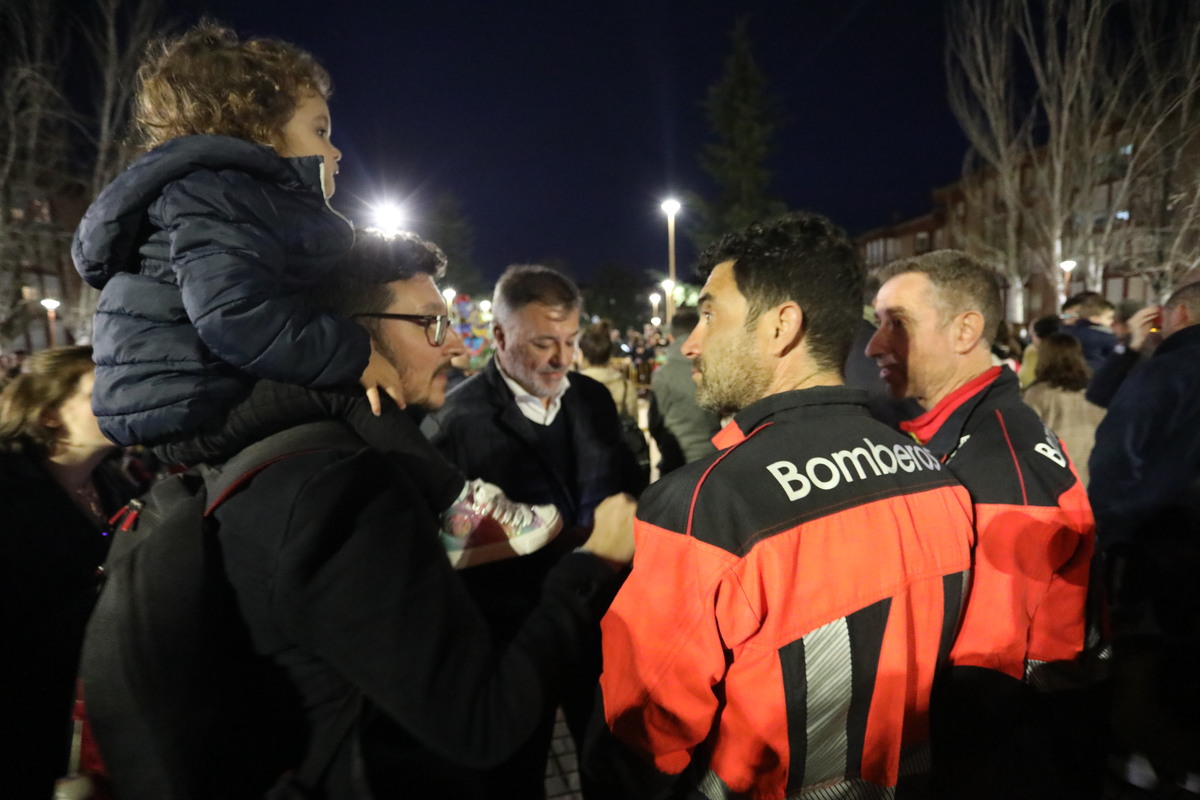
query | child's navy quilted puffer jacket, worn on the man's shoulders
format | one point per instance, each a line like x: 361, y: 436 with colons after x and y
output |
x: 202, y: 251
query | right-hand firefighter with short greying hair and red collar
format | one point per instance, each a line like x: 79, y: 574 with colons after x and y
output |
x: 1001, y: 730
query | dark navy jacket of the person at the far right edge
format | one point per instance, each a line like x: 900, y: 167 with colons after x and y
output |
x: 1148, y: 448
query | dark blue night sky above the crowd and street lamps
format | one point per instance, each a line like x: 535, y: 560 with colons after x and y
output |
x: 562, y: 125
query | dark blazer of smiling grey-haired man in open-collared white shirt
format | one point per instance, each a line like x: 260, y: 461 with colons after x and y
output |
x: 483, y: 432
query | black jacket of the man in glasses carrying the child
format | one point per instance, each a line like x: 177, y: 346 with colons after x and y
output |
x: 343, y: 581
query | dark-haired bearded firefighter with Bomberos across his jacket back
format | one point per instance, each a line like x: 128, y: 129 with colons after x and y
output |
x: 793, y: 596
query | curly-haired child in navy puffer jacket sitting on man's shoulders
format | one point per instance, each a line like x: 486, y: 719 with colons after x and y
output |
x: 203, y: 250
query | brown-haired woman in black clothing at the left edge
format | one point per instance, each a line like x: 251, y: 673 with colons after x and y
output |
x: 57, y: 495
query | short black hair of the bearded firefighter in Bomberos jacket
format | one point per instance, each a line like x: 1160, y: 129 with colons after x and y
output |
x: 805, y: 258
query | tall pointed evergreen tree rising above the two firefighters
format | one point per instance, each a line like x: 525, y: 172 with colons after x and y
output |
x: 745, y: 123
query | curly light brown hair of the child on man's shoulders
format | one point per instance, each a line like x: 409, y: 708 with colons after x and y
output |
x: 207, y: 81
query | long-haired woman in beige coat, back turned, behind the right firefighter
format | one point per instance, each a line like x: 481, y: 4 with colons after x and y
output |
x: 1058, y: 396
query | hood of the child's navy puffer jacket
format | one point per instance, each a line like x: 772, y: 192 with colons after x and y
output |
x: 117, y: 222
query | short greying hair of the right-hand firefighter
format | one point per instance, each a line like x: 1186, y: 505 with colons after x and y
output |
x: 963, y: 284
